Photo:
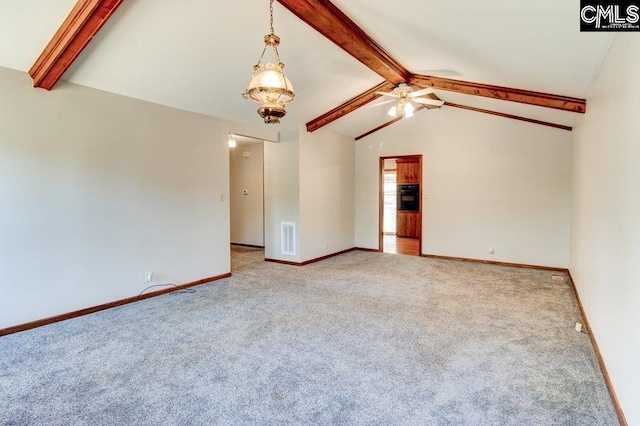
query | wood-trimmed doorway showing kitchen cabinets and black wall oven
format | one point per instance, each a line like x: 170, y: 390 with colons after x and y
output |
x: 400, y: 222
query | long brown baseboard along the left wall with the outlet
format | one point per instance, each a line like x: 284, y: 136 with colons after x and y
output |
x: 93, y: 309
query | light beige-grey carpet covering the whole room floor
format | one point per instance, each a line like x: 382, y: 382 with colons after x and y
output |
x: 362, y: 338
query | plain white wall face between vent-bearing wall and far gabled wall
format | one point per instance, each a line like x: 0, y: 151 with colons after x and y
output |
x: 327, y: 191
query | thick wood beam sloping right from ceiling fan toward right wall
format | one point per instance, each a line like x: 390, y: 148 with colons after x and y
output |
x: 503, y: 93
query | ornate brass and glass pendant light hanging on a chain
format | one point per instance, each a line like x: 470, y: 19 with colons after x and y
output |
x: 269, y: 86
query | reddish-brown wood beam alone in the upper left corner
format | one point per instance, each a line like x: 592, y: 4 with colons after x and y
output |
x: 82, y: 24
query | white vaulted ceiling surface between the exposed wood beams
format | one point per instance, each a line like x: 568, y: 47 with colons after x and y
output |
x: 197, y: 55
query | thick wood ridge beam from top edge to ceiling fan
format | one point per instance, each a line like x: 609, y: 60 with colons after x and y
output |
x: 332, y: 23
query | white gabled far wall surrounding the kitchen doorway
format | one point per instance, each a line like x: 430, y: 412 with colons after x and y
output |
x: 489, y: 182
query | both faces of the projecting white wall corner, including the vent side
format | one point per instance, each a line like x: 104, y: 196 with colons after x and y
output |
x: 309, y: 180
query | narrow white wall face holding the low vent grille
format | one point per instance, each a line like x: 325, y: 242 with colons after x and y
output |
x: 282, y: 191
